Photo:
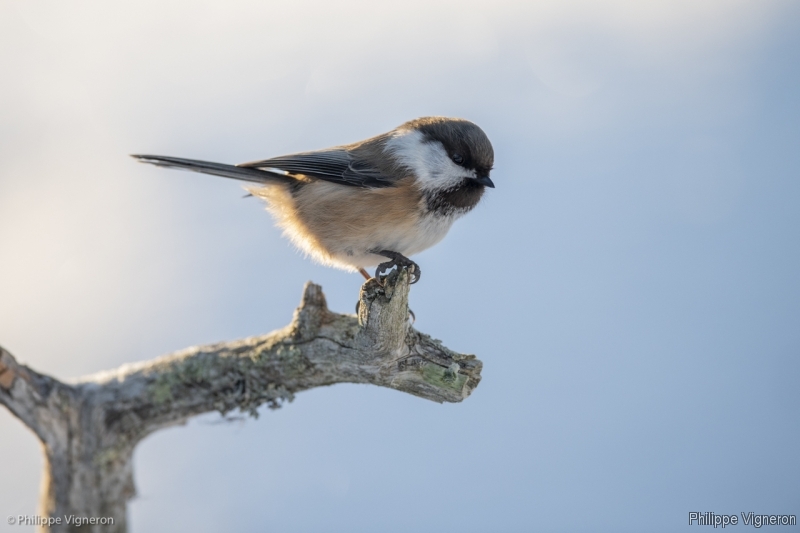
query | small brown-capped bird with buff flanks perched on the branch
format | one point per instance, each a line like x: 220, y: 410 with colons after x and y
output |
x: 357, y: 205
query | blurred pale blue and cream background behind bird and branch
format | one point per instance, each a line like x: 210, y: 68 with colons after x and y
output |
x: 631, y: 284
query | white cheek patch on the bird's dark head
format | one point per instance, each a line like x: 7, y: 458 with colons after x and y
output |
x: 428, y: 160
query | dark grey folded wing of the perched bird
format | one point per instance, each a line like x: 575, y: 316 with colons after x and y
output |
x: 337, y: 165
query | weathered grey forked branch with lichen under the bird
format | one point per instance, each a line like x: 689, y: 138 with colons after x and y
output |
x: 89, y: 428
